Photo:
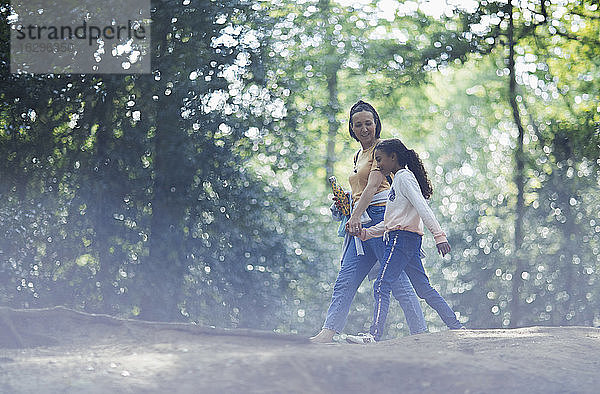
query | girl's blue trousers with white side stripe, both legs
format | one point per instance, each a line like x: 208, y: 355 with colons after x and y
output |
x: 402, y: 256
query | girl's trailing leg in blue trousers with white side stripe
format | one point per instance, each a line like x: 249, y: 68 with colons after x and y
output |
x: 394, y: 261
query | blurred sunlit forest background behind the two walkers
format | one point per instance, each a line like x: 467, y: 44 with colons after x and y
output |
x: 198, y: 192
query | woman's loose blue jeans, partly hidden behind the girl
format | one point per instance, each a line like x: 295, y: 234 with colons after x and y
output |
x: 353, y: 271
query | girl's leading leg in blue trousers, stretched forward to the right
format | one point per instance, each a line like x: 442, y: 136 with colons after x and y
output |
x: 420, y: 281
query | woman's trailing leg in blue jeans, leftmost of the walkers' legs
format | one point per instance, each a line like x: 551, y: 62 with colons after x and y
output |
x: 353, y: 271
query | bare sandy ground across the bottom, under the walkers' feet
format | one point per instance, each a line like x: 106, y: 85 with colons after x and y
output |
x: 61, y: 351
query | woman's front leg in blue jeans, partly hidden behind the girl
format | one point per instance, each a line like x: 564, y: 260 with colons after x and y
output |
x: 403, y: 292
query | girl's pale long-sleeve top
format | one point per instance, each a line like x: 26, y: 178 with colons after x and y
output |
x: 407, y: 209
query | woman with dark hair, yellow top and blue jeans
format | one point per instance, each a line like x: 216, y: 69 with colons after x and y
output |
x: 369, y: 190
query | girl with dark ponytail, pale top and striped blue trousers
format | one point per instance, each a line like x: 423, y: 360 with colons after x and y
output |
x: 402, y: 227
